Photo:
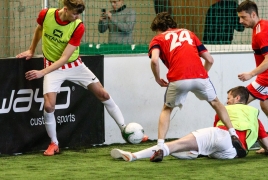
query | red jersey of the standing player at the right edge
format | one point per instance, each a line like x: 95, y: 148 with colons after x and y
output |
x: 260, y: 47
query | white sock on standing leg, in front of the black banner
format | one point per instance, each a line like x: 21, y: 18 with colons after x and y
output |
x: 50, y: 124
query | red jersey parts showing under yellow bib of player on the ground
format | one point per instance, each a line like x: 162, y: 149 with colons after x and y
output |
x: 242, y: 134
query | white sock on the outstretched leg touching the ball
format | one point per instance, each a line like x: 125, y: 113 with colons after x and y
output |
x: 115, y: 113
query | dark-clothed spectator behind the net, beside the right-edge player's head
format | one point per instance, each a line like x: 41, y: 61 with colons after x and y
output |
x: 221, y: 21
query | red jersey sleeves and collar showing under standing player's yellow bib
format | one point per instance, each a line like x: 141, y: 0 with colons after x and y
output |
x: 77, y: 34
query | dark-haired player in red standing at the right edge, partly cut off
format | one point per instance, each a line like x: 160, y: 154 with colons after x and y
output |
x: 258, y: 89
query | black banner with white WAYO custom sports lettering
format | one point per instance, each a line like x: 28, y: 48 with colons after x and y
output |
x: 79, y: 114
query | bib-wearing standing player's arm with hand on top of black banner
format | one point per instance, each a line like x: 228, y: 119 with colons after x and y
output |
x: 36, y: 38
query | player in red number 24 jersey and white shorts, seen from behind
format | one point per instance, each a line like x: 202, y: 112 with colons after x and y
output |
x: 180, y: 51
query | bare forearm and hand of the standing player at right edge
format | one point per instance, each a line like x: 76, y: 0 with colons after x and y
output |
x: 261, y: 68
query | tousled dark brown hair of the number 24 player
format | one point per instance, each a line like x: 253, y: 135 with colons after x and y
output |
x: 162, y: 22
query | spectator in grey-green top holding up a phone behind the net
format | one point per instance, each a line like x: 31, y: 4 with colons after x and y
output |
x: 120, y: 21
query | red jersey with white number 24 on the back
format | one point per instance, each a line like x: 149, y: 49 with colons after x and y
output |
x: 179, y: 51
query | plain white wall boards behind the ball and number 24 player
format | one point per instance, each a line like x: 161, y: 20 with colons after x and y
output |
x: 130, y: 82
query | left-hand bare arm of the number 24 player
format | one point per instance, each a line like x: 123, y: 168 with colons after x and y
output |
x: 155, y: 67
